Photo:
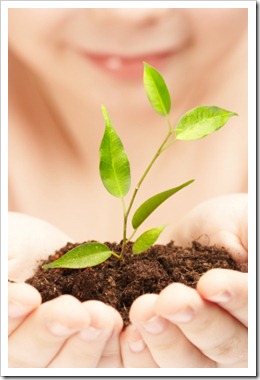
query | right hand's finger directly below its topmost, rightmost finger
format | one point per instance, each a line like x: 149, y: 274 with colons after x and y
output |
x: 215, y: 332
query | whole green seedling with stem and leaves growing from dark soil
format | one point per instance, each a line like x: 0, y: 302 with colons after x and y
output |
x: 115, y: 171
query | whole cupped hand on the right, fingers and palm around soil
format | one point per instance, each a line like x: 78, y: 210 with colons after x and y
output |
x: 206, y: 327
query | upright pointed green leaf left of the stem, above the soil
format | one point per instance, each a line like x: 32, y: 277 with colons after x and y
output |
x: 114, y: 165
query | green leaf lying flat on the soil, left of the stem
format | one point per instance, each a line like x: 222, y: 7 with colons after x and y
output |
x: 85, y: 255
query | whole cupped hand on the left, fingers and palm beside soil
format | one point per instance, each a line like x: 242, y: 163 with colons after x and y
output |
x: 60, y: 333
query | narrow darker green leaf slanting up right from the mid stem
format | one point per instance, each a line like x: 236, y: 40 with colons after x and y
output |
x: 152, y: 203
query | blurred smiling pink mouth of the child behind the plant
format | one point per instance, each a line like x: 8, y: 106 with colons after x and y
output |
x: 126, y: 67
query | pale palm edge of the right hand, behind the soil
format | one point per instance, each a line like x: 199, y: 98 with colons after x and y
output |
x: 221, y: 221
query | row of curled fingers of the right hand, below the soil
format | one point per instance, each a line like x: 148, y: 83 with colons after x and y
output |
x: 188, y: 328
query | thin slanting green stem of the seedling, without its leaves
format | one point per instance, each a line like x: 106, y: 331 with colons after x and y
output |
x: 126, y: 212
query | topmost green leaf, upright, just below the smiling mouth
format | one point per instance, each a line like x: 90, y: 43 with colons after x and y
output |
x: 156, y: 90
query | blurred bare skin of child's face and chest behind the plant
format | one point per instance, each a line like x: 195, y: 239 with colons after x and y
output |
x: 46, y: 71
